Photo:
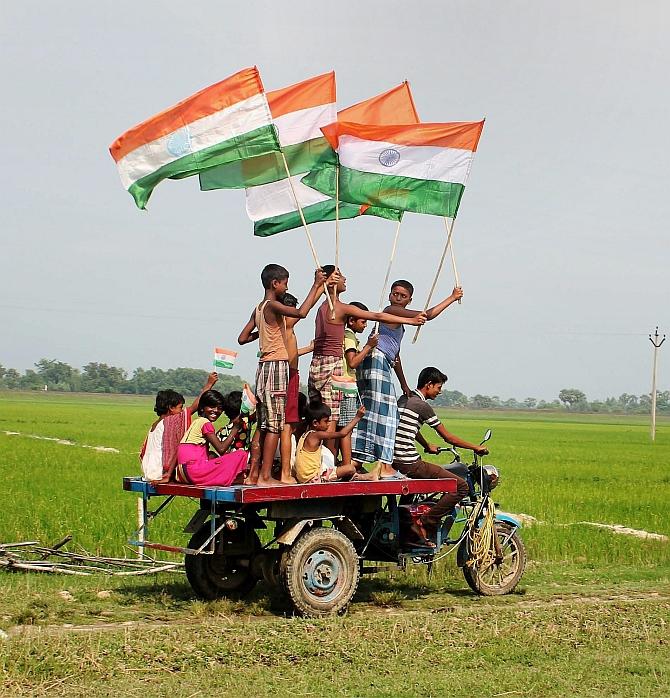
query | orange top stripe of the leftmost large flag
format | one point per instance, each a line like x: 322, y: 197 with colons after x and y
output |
x: 232, y: 90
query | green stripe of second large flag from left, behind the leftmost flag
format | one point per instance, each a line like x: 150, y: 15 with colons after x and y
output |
x: 301, y: 157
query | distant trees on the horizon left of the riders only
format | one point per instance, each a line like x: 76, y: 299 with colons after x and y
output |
x: 102, y: 378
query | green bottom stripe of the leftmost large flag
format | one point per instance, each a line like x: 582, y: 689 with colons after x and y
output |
x: 249, y: 145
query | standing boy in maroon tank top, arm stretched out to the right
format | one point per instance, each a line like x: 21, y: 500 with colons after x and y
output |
x: 327, y: 359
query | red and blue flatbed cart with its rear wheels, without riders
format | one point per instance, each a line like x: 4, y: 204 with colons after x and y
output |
x: 318, y: 540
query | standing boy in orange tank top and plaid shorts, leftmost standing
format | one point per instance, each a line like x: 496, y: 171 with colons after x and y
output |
x: 268, y: 324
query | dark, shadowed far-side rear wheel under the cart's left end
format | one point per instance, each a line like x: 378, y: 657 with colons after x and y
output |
x: 217, y: 575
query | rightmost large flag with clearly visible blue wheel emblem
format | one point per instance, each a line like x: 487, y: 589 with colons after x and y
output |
x: 417, y: 167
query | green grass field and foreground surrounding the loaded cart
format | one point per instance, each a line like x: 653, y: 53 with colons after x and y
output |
x: 589, y: 617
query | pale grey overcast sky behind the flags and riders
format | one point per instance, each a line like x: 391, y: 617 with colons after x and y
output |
x: 561, y: 240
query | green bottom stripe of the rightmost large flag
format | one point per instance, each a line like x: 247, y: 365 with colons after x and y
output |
x: 390, y: 191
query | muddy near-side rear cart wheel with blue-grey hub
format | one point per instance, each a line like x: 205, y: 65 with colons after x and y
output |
x: 321, y: 572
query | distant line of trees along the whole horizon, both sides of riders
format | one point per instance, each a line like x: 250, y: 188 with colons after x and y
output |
x: 102, y: 378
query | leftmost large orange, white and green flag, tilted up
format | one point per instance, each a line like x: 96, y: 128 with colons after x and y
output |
x: 226, y: 123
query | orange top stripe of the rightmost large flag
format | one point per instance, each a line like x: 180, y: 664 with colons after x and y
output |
x: 464, y: 135
